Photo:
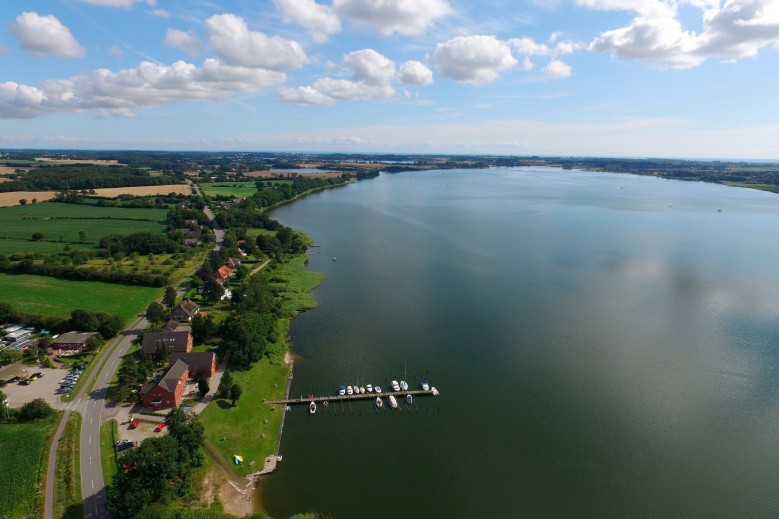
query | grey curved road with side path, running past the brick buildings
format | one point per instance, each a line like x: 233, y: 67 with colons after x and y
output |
x: 92, y: 407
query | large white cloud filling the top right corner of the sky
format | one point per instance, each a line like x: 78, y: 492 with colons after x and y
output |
x: 736, y: 29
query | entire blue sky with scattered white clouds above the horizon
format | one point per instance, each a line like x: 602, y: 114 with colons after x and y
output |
x: 627, y: 78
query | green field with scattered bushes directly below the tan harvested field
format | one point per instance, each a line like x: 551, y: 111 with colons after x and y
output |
x: 62, y: 224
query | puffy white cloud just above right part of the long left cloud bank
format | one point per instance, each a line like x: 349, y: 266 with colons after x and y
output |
x: 235, y: 44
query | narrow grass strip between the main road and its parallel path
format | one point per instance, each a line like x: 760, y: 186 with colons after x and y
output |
x: 67, y: 490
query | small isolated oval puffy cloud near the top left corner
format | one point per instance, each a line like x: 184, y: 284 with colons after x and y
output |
x: 45, y: 35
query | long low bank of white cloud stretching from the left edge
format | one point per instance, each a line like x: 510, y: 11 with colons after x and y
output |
x: 120, y: 93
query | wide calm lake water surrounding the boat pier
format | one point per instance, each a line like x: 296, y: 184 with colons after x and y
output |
x: 605, y: 346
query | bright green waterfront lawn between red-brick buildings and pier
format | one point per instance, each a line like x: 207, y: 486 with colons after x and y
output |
x: 252, y: 425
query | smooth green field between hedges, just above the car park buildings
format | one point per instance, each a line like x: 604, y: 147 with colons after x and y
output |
x: 59, y: 297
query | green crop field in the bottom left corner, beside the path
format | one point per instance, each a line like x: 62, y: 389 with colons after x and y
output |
x: 24, y: 450
